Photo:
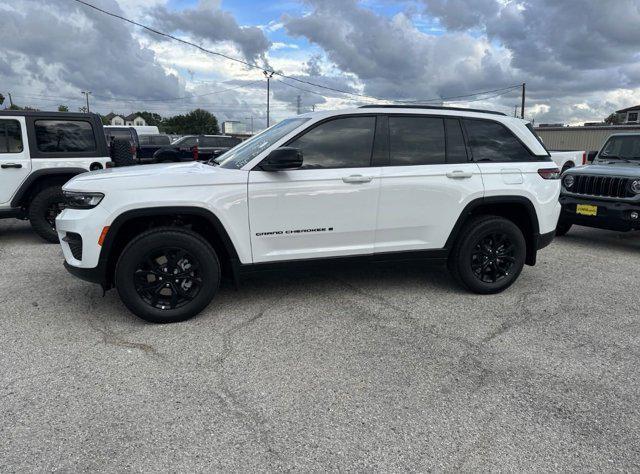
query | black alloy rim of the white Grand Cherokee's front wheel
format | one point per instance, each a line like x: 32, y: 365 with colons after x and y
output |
x: 168, y: 278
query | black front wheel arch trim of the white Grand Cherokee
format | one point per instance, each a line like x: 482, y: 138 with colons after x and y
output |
x: 133, y: 222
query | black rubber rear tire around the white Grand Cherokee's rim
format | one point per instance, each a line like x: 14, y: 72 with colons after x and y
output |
x: 472, y: 233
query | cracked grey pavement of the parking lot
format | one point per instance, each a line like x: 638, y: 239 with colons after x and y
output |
x: 365, y: 368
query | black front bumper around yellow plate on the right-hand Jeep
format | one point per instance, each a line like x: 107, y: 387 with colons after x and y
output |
x: 611, y: 215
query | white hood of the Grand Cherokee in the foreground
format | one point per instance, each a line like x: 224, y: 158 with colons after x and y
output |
x: 163, y: 175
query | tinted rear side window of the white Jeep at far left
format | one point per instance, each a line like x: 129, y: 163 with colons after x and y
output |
x: 60, y: 136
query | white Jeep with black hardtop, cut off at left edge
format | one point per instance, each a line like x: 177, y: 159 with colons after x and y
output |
x: 39, y: 152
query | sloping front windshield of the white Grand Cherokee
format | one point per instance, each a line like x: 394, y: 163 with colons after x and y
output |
x: 242, y: 154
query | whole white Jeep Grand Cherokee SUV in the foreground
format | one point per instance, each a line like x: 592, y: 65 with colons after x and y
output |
x: 472, y: 188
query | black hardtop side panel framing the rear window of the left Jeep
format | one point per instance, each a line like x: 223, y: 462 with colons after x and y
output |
x: 98, y: 135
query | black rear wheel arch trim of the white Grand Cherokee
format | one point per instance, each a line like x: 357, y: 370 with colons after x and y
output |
x: 517, y: 209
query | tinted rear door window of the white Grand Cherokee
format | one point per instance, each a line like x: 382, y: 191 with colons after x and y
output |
x: 416, y: 140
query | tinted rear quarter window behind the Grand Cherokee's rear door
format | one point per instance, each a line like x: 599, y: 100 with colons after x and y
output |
x: 492, y: 141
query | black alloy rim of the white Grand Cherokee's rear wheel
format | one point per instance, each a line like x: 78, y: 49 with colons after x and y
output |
x: 493, y: 258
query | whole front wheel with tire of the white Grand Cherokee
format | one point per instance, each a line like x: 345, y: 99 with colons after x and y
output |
x: 167, y: 275
